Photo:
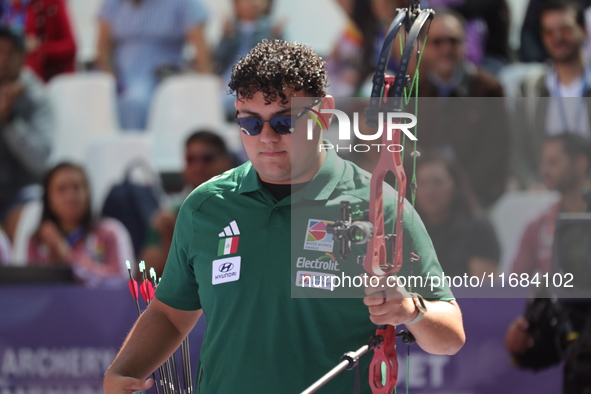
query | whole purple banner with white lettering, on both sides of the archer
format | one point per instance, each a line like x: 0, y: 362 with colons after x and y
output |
x: 61, y: 339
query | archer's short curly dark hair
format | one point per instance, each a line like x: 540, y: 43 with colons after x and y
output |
x: 273, y: 66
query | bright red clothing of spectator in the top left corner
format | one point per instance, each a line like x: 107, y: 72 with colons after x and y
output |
x: 48, y: 22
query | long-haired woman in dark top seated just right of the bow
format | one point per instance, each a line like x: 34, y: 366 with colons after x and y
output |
x: 464, y: 242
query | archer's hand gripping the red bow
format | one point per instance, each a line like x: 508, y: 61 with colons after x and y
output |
x: 388, y: 304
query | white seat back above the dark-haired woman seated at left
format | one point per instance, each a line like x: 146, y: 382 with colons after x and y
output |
x: 84, y: 106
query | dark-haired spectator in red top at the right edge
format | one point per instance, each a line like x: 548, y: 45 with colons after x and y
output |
x: 565, y: 164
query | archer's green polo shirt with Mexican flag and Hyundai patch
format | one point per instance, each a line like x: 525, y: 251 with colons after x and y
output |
x: 242, y: 256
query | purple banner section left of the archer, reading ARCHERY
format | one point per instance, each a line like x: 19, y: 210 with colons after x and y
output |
x: 60, y: 340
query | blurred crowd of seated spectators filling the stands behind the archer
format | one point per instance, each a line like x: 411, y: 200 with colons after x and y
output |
x: 468, y: 162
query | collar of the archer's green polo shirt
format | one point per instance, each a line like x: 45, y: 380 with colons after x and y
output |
x: 320, y: 188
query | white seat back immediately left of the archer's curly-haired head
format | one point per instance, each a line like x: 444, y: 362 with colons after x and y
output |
x: 182, y: 104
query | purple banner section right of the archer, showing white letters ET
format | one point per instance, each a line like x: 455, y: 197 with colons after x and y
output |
x: 483, y: 365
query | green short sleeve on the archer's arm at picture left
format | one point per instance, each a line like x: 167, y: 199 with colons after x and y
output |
x: 178, y: 288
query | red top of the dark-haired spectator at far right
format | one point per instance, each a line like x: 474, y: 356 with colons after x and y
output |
x: 535, y: 249
